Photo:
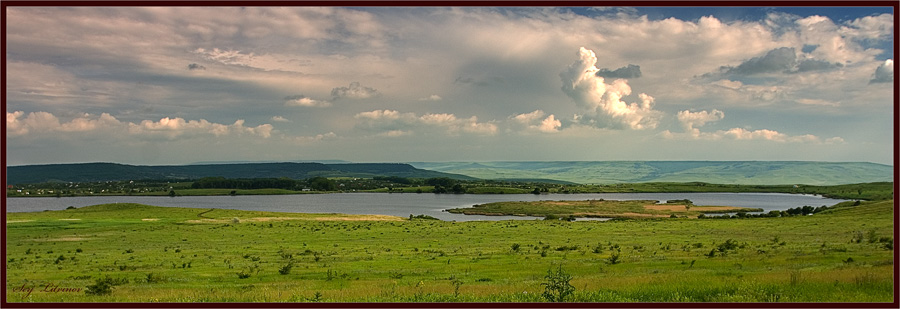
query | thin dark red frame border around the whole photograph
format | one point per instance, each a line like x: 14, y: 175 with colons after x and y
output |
x: 498, y: 3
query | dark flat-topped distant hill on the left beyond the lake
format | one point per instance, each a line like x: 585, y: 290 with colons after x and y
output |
x: 90, y: 172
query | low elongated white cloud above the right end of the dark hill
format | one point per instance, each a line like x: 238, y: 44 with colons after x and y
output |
x: 393, y: 123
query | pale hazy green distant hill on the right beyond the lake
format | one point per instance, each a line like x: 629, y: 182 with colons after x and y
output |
x: 721, y: 172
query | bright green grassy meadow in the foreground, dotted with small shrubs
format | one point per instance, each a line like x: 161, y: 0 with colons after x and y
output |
x: 142, y: 253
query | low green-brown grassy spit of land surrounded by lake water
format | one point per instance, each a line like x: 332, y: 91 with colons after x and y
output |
x: 632, y: 209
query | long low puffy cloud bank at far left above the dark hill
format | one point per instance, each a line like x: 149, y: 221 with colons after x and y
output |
x: 43, y: 122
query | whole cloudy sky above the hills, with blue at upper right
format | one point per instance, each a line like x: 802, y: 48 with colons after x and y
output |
x: 178, y: 85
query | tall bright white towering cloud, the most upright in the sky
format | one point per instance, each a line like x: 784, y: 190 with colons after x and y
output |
x: 603, y: 102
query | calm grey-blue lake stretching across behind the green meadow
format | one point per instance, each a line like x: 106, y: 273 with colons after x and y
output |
x: 404, y: 204
